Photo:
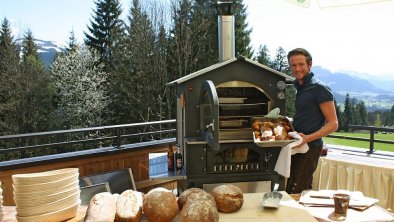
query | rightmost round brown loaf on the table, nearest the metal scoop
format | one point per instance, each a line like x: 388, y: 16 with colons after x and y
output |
x: 228, y: 198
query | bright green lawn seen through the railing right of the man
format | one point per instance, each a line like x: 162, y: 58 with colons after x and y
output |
x: 362, y: 144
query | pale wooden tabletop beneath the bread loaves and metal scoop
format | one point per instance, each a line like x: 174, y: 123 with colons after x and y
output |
x: 289, y: 210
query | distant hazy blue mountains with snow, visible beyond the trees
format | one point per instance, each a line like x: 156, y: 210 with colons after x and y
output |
x: 376, y: 93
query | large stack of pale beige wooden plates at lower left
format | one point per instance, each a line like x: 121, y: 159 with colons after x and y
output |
x: 47, y: 196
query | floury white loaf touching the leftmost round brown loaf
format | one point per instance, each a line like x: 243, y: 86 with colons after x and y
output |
x: 129, y: 206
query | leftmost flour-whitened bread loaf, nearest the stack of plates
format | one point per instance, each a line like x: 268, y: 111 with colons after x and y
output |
x: 102, y: 207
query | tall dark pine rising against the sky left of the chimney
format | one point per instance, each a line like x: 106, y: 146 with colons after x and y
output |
x: 105, y: 29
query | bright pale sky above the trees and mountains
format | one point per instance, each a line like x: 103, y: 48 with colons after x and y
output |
x: 356, y: 38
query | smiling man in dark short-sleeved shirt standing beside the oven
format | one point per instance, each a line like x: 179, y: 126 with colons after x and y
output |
x: 315, y: 118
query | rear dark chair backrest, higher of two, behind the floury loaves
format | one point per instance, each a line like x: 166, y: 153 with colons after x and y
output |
x: 119, y: 180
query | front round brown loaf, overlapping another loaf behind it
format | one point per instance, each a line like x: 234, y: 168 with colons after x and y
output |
x: 199, y: 210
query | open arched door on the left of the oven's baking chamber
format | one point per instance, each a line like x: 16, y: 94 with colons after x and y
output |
x: 209, y: 114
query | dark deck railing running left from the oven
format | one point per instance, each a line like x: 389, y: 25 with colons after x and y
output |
x: 62, y: 141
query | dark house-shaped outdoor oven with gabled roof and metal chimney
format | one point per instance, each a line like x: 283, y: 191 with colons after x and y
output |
x: 215, y: 107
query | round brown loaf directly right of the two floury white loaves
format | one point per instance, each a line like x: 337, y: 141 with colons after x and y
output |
x: 160, y: 205
